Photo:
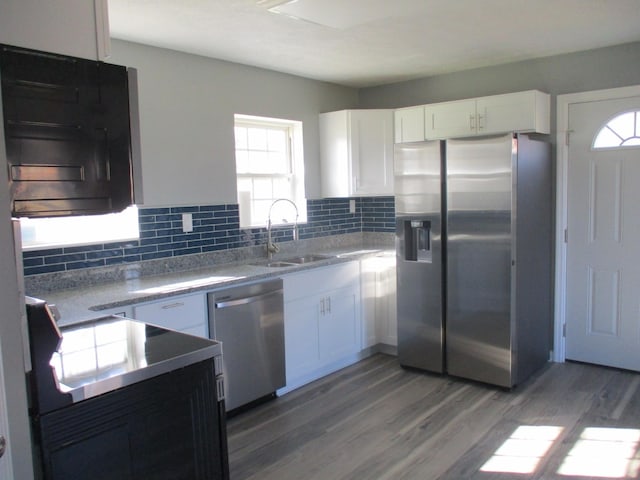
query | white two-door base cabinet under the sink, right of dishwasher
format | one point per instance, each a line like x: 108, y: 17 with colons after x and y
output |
x: 322, y: 321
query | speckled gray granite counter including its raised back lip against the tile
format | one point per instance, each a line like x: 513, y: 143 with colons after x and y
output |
x: 88, y: 294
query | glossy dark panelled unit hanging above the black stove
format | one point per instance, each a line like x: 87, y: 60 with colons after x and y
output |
x: 67, y: 134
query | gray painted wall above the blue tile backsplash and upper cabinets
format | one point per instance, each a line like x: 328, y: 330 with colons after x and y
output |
x: 187, y: 104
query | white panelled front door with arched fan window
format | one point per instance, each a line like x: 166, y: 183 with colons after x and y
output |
x: 603, y: 248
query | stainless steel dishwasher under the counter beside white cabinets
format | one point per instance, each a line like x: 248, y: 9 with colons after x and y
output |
x: 249, y: 321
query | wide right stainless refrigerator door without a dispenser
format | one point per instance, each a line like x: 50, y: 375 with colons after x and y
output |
x: 479, y: 263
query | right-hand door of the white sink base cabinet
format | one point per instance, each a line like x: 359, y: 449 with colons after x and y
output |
x: 339, y: 326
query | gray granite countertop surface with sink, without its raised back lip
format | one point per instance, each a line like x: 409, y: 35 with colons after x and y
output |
x: 87, y: 301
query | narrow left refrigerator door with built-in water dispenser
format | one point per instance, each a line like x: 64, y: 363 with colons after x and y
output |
x: 419, y: 255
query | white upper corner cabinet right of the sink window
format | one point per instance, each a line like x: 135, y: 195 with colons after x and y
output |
x: 356, y: 153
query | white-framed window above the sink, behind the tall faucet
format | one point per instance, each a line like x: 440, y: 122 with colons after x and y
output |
x: 269, y: 165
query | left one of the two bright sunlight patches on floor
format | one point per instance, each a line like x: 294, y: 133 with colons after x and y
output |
x: 523, y: 450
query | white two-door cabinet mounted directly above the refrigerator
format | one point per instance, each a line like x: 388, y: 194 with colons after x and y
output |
x: 527, y: 111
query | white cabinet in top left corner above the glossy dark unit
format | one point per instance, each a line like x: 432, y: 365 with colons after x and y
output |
x: 75, y: 28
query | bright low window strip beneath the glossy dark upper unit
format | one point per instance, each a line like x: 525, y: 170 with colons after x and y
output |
x: 39, y: 233
